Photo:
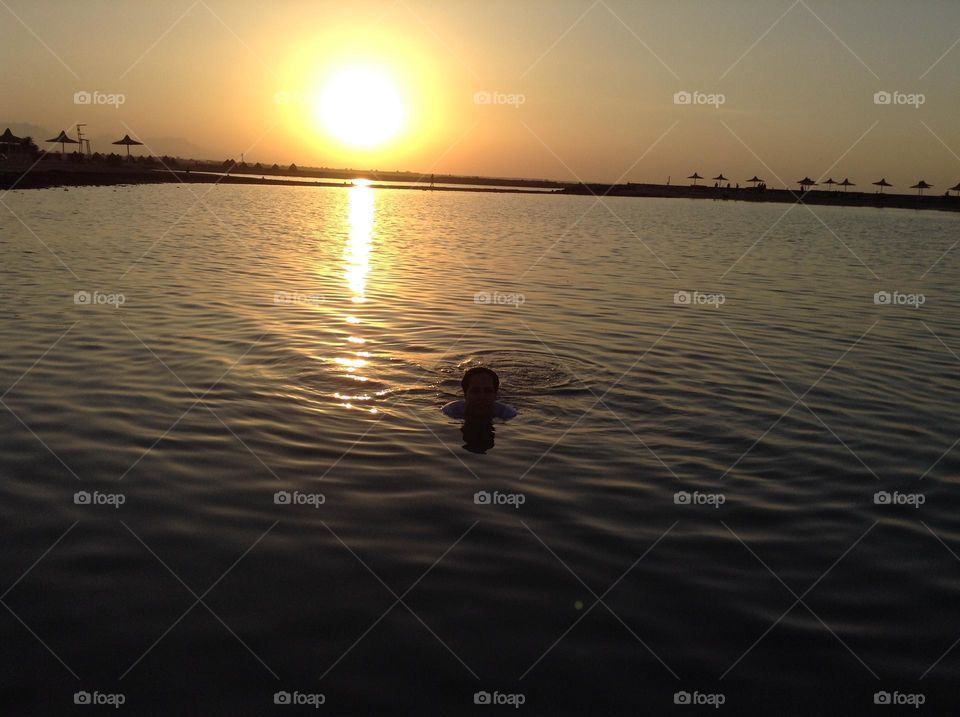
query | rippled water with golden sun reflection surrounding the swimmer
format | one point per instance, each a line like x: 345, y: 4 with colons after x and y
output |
x: 302, y: 340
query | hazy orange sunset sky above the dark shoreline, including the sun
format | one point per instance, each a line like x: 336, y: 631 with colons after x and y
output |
x: 580, y: 90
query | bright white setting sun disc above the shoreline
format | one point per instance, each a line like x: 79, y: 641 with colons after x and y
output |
x: 361, y: 107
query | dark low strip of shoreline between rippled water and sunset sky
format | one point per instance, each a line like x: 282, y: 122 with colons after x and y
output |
x: 48, y: 178
